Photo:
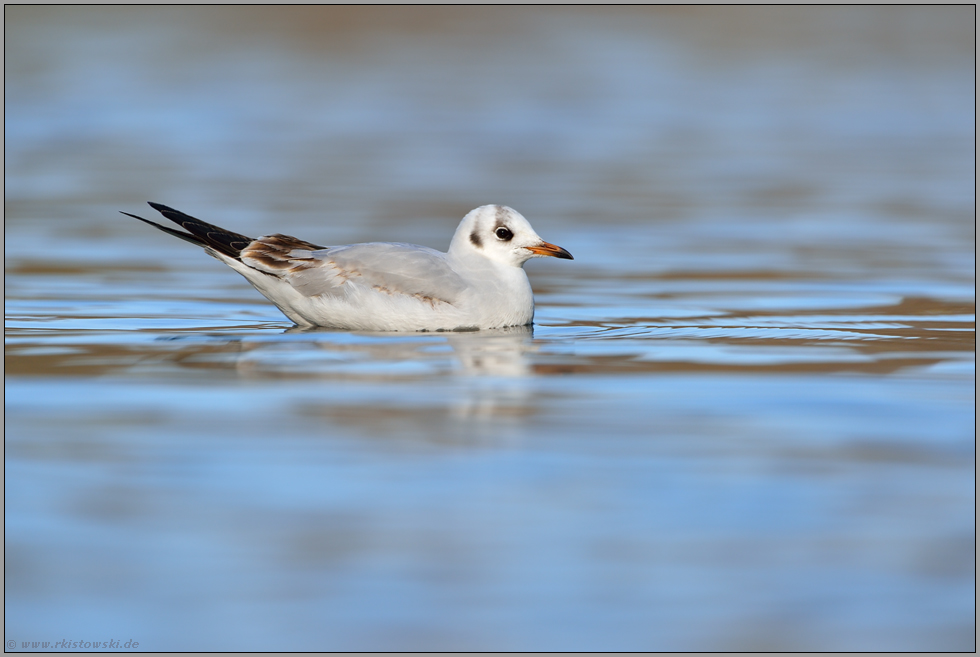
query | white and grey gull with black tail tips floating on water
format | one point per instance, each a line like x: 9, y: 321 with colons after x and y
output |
x: 387, y: 286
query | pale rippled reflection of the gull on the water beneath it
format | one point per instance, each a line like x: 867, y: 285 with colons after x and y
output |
x: 452, y: 376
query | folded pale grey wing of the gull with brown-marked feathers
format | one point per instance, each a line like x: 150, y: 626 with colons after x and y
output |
x: 392, y: 268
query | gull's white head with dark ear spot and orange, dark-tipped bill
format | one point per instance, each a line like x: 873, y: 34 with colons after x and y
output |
x: 501, y: 235
